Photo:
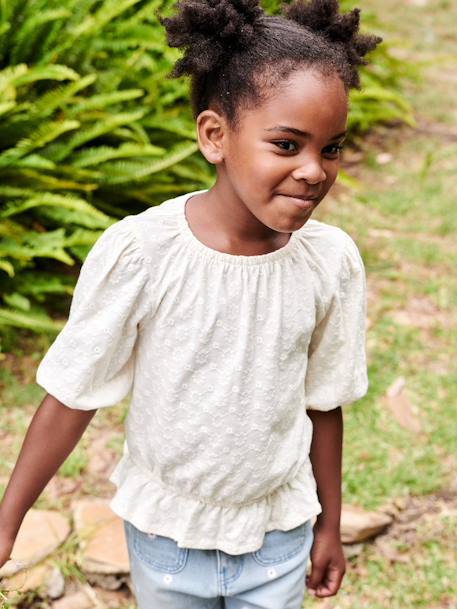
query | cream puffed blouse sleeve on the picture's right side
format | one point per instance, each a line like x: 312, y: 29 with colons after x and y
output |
x: 337, y: 369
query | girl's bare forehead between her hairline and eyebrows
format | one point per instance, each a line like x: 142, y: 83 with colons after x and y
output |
x: 307, y: 101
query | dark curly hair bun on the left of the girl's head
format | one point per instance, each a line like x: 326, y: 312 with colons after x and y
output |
x: 209, y: 29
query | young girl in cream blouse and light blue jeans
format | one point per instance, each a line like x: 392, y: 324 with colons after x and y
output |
x: 237, y: 321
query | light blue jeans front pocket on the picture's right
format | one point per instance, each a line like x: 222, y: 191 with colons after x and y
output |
x: 280, y: 546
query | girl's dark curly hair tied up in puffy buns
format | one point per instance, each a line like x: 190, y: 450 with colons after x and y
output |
x: 236, y: 54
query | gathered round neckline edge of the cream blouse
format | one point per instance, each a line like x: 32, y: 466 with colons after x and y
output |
x: 215, y: 255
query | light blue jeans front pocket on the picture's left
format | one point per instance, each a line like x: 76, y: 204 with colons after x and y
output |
x: 159, y: 552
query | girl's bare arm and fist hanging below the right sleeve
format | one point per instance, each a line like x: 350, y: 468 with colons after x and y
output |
x: 327, y: 557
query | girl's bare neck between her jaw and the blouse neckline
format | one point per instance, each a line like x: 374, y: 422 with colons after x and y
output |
x: 220, y: 220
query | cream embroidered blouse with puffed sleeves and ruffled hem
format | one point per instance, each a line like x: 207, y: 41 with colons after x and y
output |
x: 222, y: 354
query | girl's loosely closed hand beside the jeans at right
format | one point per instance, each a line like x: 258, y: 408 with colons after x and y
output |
x: 328, y: 564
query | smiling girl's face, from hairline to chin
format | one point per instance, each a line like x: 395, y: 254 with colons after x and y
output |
x: 283, y: 156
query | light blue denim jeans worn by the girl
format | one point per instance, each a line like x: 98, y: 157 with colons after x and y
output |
x: 165, y: 576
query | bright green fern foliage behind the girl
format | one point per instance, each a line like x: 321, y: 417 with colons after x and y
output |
x: 91, y: 130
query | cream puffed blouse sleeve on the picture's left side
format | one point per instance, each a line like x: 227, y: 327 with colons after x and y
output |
x: 91, y: 362
